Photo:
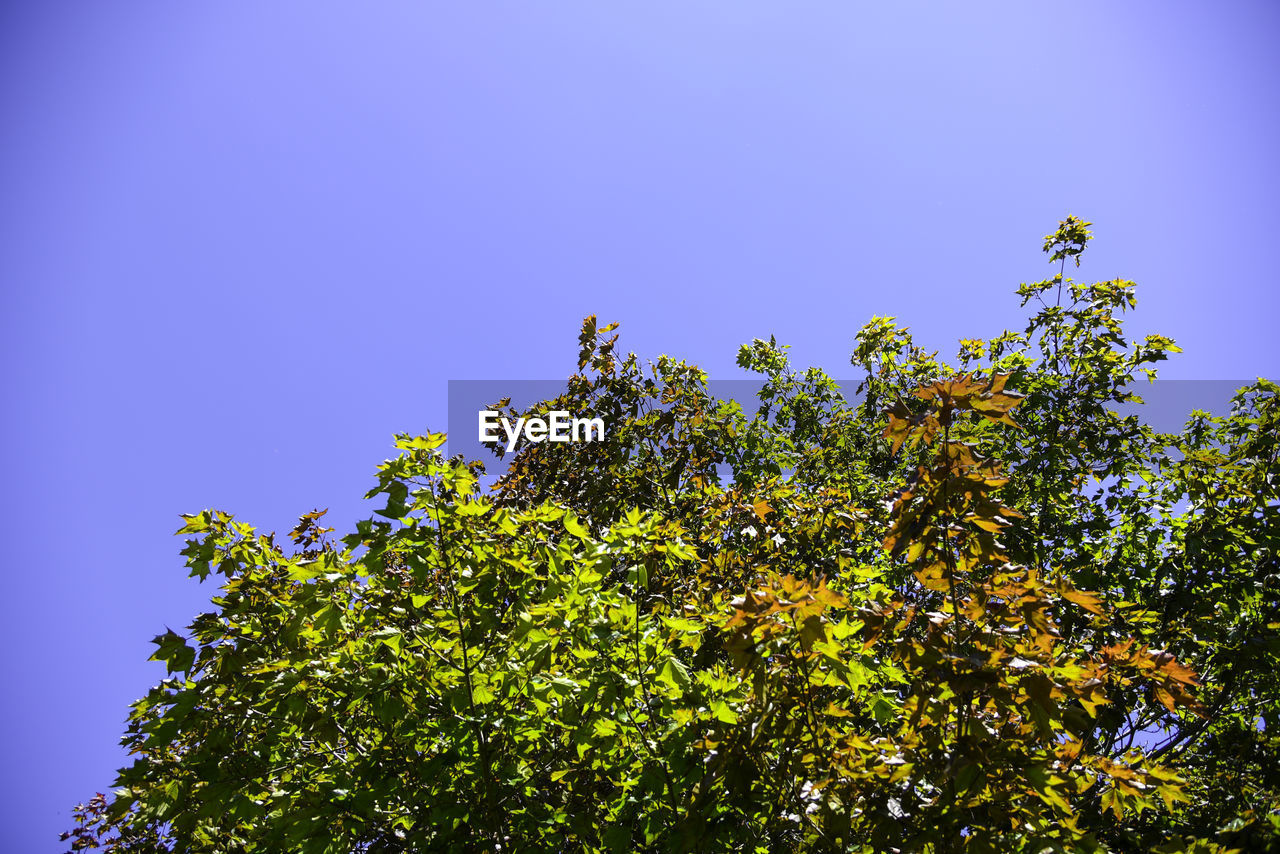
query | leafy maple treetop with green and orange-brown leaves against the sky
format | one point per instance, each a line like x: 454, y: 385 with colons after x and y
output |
x: 975, y: 610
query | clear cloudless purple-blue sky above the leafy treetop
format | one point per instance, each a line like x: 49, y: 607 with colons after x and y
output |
x: 241, y: 245
